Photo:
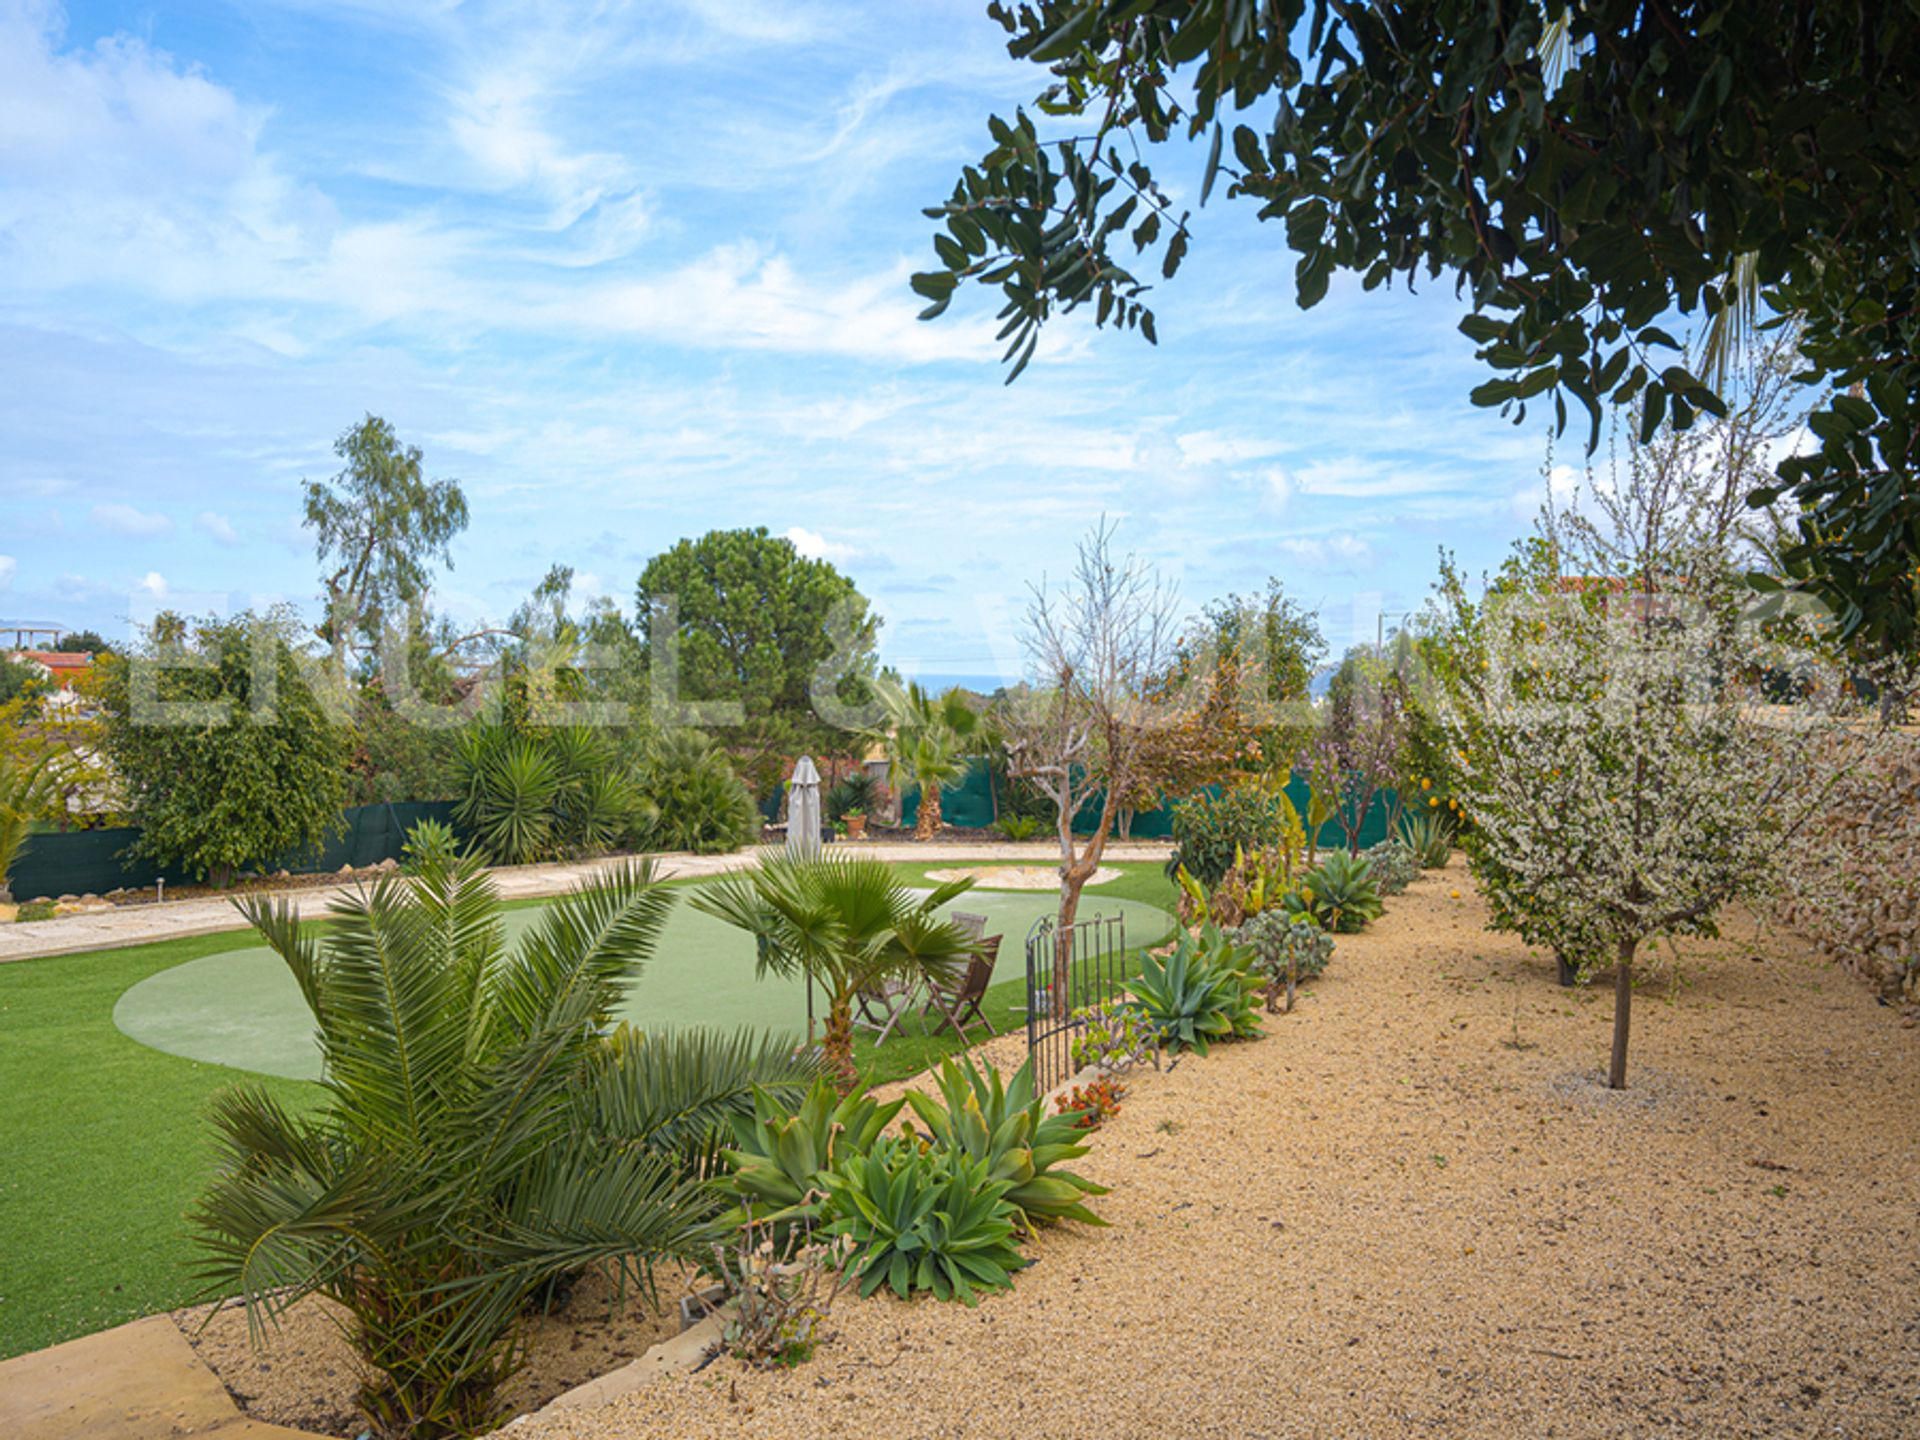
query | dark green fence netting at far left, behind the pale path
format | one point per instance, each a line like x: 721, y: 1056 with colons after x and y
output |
x: 95, y: 861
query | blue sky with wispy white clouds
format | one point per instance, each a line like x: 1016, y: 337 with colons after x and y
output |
x: 640, y: 272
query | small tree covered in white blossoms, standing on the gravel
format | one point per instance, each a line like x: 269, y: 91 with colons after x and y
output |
x: 1621, y: 756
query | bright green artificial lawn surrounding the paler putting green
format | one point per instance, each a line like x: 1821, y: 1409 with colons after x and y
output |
x: 105, y: 1147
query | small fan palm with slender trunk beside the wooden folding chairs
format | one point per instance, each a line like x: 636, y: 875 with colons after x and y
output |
x: 846, y: 924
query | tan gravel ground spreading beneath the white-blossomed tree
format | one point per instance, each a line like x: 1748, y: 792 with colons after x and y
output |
x: 1416, y: 1211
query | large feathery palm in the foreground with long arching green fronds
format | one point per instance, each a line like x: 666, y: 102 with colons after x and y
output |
x: 481, y: 1136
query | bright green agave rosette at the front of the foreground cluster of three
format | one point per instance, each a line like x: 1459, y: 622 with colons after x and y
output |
x: 924, y: 1220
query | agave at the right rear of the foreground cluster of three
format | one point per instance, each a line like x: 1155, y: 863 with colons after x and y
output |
x: 1007, y: 1128
